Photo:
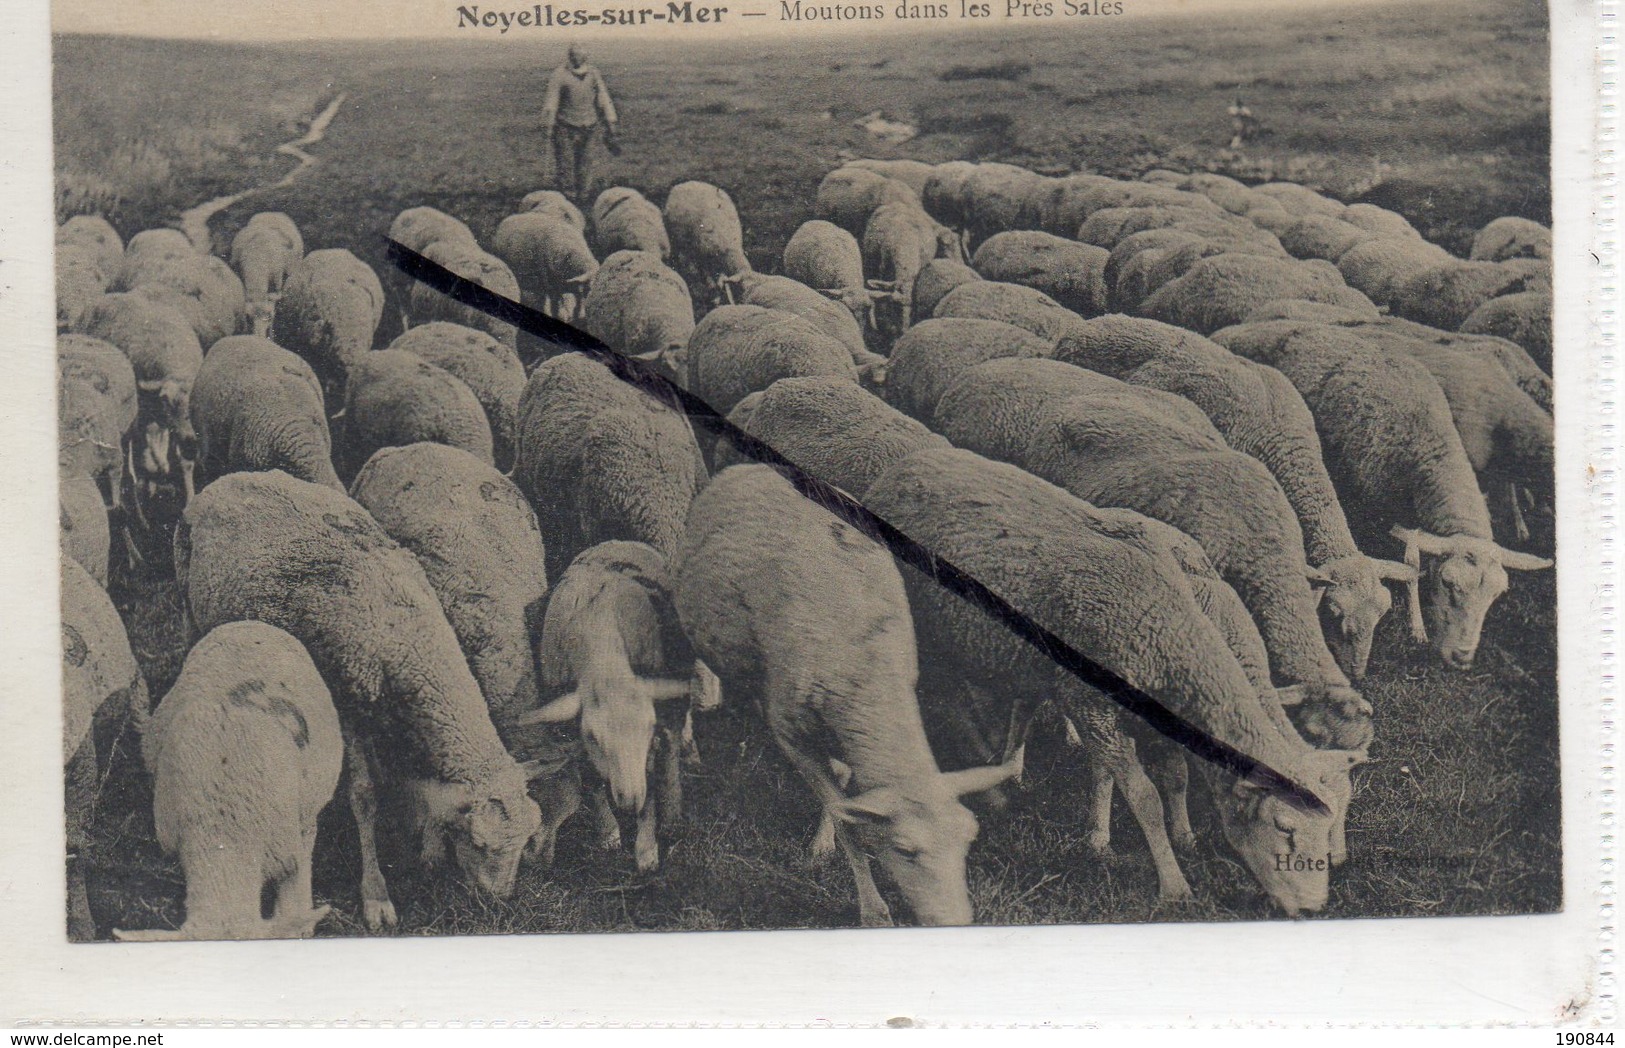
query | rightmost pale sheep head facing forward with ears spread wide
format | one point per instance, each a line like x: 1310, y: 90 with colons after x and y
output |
x: 1455, y: 594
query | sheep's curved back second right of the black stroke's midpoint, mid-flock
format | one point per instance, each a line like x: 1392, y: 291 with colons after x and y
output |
x: 934, y: 353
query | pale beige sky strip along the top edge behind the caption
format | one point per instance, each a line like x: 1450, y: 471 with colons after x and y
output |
x: 297, y: 20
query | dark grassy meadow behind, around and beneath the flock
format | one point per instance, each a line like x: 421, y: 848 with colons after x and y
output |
x: 1458, y: 812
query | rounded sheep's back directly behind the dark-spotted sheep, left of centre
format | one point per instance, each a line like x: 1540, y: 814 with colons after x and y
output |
x: 396, y: 399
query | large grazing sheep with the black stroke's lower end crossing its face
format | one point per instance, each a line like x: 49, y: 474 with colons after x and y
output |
x: 997, y: 522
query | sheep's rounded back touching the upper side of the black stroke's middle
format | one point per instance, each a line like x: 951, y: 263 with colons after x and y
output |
x: 739, y: 350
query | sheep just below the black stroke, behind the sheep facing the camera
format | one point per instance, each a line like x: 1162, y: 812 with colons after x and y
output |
x: 602, y: 461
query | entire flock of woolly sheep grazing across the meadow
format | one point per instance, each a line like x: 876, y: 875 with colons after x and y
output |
x: 1172, y: 422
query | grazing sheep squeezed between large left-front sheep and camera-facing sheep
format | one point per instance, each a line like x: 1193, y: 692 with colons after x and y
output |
x: 482, y: 550
